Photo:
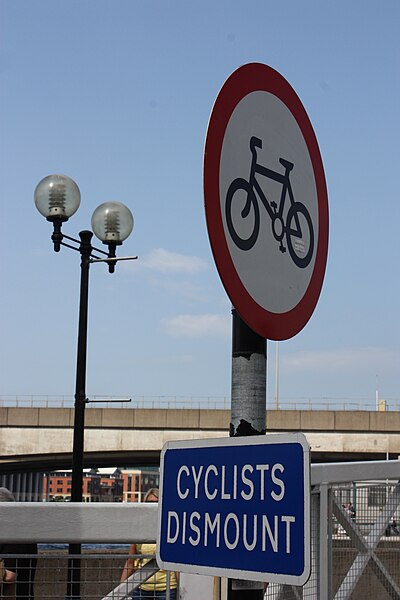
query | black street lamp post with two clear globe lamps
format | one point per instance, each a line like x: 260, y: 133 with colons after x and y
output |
x: 57, y: 198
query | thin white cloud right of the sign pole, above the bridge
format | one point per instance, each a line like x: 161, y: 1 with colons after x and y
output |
x: 344, y: 359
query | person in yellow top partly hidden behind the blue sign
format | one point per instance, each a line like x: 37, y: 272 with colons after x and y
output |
x: 156, y: 586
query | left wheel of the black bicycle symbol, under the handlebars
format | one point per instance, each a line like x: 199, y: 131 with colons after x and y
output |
x: 248, y: 232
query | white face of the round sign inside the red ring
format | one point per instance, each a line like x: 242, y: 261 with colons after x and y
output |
x: 275, y: 249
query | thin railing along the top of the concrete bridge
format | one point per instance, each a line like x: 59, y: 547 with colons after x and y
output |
x: 196, y: 402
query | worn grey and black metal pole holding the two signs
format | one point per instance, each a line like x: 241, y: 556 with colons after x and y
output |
x: 248, y: 408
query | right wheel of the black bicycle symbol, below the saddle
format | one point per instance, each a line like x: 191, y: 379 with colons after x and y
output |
x: 300, y: 238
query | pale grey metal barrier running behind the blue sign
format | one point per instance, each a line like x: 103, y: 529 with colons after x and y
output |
x: 355, y: 541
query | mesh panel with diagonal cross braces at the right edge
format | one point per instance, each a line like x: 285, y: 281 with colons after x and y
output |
x: 366, y: 541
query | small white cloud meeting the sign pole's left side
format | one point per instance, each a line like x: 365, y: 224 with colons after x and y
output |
x: 209, y: 325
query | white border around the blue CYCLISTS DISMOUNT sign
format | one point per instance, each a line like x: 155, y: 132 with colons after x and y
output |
x: 275, y: 438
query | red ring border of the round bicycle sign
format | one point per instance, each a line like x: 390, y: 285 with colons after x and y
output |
x: 246, y: 79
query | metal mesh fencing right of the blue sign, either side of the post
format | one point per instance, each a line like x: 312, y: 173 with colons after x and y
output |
x: 362, y: 554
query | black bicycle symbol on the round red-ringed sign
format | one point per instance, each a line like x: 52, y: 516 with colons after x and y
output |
x: 300, y: 246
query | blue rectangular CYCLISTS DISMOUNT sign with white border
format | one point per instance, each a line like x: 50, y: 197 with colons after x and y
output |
x: 237, y: 507
